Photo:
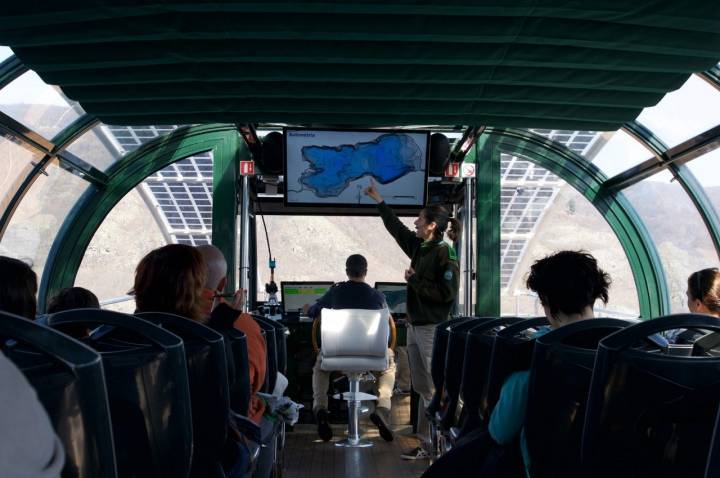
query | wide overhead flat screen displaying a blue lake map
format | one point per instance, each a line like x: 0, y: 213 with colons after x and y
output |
x: 332, y: 167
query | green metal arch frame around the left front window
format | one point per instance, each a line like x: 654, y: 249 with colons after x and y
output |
x: 87, y: 215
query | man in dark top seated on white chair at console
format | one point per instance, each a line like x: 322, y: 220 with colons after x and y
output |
x: 352, y: 294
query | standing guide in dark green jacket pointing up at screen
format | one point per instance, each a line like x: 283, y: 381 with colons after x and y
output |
x: 432, y: 286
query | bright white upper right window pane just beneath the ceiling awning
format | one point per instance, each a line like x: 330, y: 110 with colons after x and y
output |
x: 684, y: 113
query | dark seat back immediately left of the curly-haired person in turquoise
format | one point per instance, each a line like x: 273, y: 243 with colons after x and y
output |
x: 512, y: 351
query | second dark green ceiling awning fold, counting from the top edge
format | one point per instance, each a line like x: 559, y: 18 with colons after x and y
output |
x: 333, y: 27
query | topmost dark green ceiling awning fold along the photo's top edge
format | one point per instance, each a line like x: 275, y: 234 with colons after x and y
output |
x: 680, y: 15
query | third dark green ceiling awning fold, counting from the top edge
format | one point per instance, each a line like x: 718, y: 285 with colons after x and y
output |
x: 311, y: 53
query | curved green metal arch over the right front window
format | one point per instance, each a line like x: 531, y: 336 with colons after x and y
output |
x: 587, y: 179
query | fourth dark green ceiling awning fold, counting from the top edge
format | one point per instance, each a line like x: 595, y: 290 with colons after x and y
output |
x: 360, y: 74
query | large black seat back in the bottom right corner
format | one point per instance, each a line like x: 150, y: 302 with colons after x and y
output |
x: 654, y: 414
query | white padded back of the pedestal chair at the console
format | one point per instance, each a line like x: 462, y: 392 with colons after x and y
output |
x: 354, y: 340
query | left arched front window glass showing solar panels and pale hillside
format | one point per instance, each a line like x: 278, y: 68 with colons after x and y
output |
x: 173, y: 205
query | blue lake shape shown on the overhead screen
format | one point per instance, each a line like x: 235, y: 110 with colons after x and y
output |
x: 332, y: 168
